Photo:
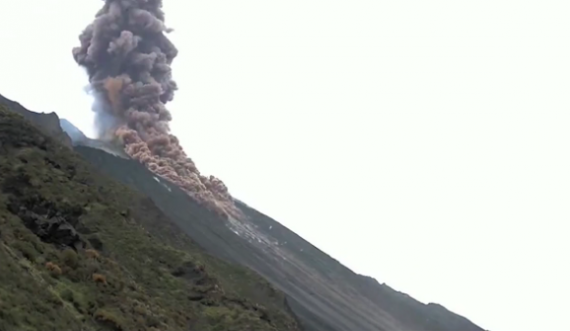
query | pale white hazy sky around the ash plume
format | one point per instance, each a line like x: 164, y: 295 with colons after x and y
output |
x: 425, y: 143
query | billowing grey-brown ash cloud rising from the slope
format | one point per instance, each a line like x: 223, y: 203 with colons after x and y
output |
x: 128, y: 56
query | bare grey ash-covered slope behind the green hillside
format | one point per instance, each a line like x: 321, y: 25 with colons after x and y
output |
x: 323, y: 294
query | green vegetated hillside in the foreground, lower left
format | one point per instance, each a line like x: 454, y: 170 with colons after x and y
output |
x: 81, y: 252
